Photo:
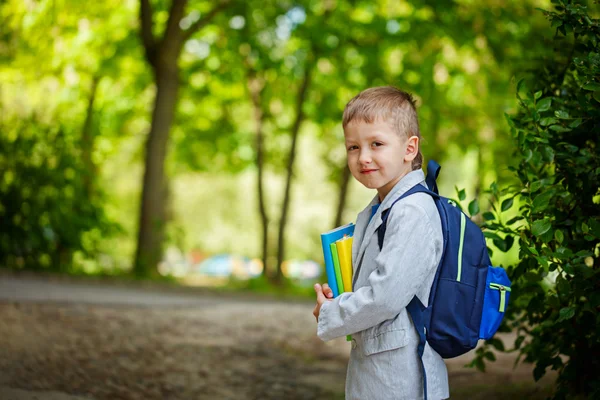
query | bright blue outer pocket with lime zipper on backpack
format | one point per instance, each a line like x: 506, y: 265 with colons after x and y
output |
x: 495, y: 301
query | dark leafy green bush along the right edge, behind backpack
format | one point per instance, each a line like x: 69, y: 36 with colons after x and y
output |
x: 555, y: 299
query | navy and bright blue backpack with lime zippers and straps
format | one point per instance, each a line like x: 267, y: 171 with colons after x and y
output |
x: 468, y: 296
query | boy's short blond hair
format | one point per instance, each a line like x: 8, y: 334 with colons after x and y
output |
x: 386, y: 103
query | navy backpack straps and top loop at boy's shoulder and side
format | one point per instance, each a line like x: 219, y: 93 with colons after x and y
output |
x: 415, y: 308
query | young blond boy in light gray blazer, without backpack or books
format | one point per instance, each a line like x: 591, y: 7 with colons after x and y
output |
x: 382, y: 136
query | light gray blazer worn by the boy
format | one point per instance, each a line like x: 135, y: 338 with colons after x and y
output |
x: 384, y: 363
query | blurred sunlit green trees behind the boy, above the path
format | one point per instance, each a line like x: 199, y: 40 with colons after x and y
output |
x: 203, y: 139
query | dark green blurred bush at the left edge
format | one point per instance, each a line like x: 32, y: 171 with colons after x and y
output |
x: 47, y: 212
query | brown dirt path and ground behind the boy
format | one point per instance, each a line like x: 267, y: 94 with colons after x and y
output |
x: 64, y: 340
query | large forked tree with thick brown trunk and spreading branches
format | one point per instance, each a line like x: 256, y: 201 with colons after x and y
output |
x: 162, y: 55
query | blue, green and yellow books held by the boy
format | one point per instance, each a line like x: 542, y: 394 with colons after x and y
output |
x: 337, y: 253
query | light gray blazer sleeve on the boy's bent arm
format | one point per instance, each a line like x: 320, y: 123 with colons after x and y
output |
x: 409, y: 255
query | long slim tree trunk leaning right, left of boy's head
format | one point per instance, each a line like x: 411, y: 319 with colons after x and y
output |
x: 290, y: 171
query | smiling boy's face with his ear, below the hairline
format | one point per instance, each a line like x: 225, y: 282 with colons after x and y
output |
x: 378, y: 157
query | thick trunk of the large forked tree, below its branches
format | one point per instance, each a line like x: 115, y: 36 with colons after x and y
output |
x: 152, y: 216
